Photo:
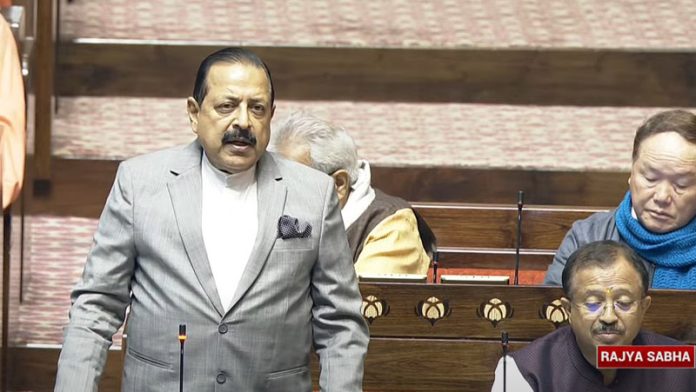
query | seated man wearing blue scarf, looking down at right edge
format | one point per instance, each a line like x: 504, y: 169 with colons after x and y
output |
x: 656, y: 217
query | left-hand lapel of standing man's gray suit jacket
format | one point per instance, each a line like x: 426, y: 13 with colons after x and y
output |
x: 185, y: 191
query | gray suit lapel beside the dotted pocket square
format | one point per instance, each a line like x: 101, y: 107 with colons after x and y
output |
x: 271, y: 202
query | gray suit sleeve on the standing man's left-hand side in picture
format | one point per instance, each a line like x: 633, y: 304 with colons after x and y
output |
x: 100, y: 298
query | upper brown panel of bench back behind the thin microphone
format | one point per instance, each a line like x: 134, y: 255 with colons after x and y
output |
x: 495, y: 226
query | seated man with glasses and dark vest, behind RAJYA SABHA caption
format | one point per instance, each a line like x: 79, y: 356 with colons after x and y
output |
x: 606, y: 296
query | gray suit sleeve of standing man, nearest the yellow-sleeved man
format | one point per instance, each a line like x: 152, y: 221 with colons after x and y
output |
x: 340, y: 332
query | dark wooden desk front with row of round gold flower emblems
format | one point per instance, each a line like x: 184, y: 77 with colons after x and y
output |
x: 457, y: 348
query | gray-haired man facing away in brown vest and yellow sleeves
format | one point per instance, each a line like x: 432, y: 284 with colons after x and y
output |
x: 385, y: 234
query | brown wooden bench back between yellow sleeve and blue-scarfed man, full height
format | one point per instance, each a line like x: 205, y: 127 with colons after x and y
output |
x: 480, y: 239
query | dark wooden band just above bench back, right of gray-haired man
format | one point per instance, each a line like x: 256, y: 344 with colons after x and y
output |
x: 451, y: 184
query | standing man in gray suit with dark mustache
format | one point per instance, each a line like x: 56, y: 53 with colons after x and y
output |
x: 245, y: 248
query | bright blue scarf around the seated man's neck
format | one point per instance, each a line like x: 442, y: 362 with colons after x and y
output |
x: 673, y: 253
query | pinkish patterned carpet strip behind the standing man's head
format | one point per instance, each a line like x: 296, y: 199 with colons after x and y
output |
x: 388, y: 134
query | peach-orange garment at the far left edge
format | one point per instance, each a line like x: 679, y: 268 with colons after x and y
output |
x: 12, y: 116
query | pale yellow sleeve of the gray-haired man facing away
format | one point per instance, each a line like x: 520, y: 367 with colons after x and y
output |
x: 394, y: 247
